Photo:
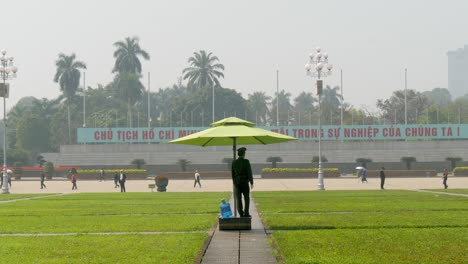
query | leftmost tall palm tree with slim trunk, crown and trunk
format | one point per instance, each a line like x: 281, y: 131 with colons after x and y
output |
x: 68, y: 76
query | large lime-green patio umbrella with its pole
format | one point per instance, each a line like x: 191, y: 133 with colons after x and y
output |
x: 232, y: 131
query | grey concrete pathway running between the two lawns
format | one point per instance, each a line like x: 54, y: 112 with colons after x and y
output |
x: 244, y: 246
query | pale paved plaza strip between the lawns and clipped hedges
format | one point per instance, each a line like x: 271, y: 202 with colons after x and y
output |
x: 345, y: 183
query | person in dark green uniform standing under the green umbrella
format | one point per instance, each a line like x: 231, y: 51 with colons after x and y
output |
x: 241, y: 172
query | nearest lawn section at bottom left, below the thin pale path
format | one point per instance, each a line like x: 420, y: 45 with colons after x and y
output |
x: 161, y: 248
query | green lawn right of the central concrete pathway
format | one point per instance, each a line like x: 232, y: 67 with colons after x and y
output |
x: 367, y: 226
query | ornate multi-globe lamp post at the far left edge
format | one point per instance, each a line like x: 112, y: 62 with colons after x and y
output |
x: 7, y: 72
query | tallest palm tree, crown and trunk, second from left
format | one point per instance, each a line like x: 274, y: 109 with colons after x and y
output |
x: 128, y: 69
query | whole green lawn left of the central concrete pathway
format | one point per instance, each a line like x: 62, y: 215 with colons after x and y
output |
x: 42, y: 230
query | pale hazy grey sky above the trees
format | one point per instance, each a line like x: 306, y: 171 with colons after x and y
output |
x: 372, y: 41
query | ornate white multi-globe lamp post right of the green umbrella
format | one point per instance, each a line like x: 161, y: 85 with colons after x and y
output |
x: 318, y: 62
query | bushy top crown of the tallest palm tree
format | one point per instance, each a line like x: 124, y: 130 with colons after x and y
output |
x: 127, y: 56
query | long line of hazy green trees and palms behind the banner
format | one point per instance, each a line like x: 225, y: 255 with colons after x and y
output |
x: 42, y: 125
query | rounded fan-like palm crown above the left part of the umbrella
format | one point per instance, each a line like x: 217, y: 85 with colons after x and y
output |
x: 204, y: 70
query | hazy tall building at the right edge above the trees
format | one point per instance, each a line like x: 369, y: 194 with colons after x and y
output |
x: 458, y: 72
